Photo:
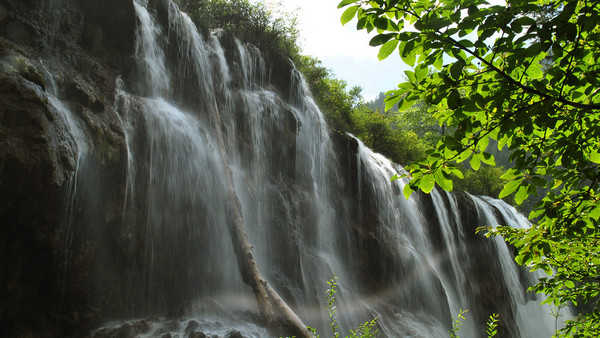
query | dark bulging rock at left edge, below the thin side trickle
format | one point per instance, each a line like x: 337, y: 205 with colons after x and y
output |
x: 35, y: 157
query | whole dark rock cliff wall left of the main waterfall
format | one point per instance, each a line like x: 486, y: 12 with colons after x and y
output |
x: 38, y: 159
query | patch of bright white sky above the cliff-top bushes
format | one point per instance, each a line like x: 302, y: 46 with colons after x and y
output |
x: 343, y: 49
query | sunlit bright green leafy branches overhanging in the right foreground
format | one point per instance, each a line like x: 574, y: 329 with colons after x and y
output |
x: 526, y: 75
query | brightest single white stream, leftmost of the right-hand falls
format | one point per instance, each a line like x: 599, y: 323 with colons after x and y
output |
x: 415, y: 277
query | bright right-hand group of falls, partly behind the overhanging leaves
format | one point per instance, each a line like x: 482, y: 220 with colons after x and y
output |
x: 437, y: 272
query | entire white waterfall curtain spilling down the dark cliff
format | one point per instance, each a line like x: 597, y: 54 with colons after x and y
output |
x: 310, y: 214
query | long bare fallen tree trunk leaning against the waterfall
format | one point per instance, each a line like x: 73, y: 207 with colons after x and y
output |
x: 273, y: 308
